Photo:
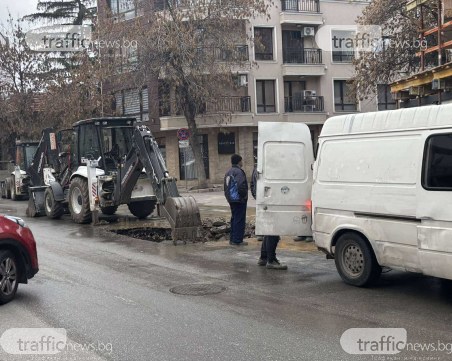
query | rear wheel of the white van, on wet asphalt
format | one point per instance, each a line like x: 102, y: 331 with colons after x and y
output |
x: 356, y: 261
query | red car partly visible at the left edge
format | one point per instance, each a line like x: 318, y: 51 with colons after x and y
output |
x: 18, y: 256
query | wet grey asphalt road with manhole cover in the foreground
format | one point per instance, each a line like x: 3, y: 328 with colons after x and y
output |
x: 112, y: 292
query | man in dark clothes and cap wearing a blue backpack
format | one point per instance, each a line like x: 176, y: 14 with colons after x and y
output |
x: 236, y: 193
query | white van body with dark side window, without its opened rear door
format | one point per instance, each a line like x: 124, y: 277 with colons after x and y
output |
x: 382, y: 192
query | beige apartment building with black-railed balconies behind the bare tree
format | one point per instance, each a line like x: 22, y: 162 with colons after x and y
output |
x: 294, y: 80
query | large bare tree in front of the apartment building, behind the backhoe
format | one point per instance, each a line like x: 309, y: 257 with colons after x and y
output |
x: 195, y: 48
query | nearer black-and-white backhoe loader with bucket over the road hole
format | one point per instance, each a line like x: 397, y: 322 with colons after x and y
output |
x: 103, y: 163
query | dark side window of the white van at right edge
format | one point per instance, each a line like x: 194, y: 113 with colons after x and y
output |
x: 437, y: 172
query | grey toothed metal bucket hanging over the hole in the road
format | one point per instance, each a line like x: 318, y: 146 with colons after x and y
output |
x: 183, y: 216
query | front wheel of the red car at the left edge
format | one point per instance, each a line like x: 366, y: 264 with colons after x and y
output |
x: 9, y: 276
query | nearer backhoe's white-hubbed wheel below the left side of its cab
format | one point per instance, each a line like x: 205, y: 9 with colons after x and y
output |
x: 79, y: 201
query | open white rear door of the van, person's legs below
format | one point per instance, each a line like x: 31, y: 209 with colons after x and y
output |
x: 284, y: 165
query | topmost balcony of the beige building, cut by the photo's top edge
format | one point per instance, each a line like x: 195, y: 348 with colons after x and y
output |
x: 301, y: 12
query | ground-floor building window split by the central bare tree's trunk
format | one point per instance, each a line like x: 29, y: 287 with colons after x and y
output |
x: 187, y: 166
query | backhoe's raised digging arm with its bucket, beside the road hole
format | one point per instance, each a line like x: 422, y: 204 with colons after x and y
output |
x: 181, y: 212
